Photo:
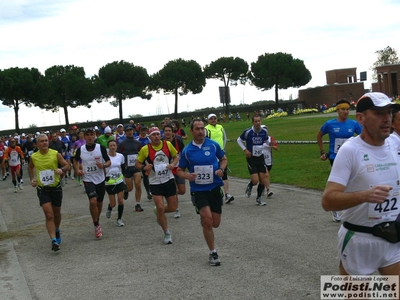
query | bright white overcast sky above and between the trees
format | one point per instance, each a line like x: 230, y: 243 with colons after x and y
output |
x: 93, y: 33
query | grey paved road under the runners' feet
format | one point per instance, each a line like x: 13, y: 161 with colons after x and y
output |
x: 277, y: 251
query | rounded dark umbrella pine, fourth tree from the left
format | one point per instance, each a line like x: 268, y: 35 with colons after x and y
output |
x: 179, y: 76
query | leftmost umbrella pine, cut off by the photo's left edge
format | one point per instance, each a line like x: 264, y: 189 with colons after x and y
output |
x: 19, y: 86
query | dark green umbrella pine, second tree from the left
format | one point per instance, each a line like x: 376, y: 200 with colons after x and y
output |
x: 65, y: 86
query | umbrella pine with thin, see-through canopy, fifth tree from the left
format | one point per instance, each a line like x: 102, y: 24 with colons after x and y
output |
x: 230, y: 71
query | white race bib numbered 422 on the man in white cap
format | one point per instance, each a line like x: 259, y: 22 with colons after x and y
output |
x: 389, y: 209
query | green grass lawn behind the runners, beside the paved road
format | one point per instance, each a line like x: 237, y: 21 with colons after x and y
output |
x: 293, y: 164
